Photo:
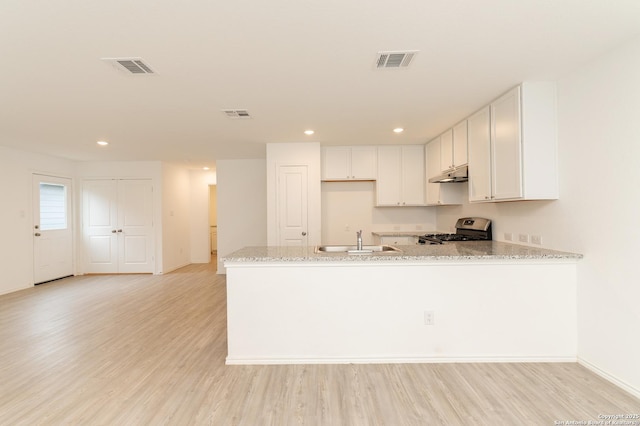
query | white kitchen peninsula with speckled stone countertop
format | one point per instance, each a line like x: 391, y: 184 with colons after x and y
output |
x: 470, y: 302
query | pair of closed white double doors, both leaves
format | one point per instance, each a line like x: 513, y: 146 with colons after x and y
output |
x: 118, y: 226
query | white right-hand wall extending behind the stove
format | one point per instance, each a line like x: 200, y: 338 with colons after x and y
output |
x: 598, y: 210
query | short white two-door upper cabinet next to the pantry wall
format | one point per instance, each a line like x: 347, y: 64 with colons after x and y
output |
x: 349, y: 163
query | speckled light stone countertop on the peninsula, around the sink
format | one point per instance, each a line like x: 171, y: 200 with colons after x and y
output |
x: 467, y: 251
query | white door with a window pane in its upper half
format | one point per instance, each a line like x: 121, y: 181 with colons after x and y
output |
x: 53, y: 228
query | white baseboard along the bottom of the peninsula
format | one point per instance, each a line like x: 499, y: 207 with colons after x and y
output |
x: 400, y: 360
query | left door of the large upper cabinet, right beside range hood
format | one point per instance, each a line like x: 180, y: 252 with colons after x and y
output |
x: 479, y: 139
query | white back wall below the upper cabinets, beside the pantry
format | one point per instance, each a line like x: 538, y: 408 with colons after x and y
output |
x: 352, y: 205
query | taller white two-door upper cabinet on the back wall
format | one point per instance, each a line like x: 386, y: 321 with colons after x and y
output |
x: 401, y: 176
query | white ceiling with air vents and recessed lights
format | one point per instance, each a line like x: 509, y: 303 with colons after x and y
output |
x: 293, y: 64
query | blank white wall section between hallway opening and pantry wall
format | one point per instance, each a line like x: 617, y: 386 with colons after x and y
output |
x: 242, y: 205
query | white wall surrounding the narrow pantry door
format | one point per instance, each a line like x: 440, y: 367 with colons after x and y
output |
x: 308, y: 154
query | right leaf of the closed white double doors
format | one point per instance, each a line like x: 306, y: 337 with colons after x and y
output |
x: 135, y: 226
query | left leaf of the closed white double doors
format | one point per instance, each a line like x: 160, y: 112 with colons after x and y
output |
x: 100, y: 226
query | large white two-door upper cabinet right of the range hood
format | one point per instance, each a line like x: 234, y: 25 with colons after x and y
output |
x: 513, y: 146
